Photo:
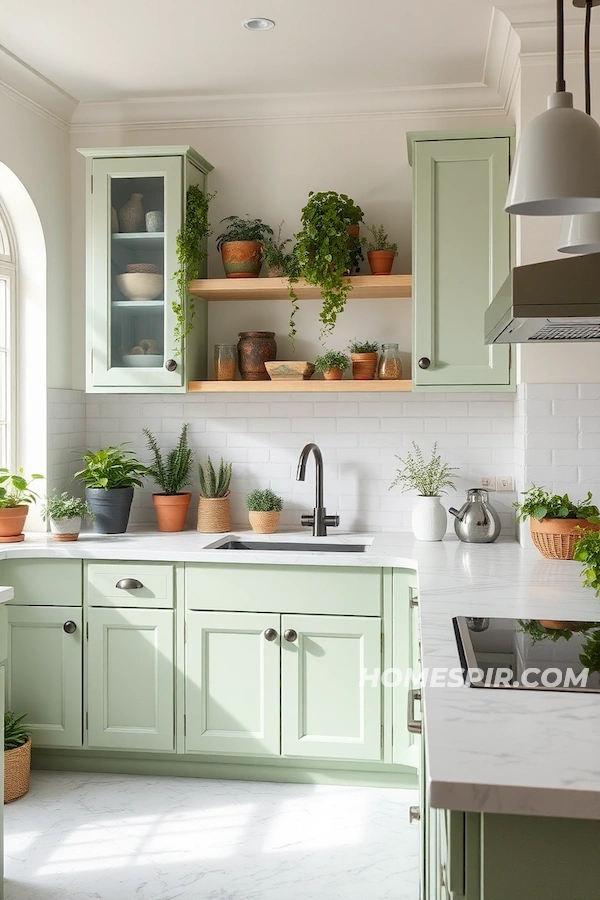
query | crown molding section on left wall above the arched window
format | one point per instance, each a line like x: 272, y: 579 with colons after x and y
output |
x: 27, y: 87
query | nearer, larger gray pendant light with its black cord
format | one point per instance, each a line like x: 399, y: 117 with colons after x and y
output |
x: 557, y: 164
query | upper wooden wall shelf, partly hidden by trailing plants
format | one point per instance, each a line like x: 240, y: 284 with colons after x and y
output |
x: 364, y: 287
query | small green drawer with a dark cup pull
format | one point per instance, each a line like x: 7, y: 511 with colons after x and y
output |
x: 156, y: 590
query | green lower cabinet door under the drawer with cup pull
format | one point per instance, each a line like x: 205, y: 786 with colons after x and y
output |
x: 131, y: 679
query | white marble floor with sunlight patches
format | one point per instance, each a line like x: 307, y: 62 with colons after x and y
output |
x: 116, y: 837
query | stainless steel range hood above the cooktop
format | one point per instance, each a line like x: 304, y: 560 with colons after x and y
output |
x: 558, y: 300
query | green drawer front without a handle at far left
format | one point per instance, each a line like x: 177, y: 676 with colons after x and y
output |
x: 44, y: 582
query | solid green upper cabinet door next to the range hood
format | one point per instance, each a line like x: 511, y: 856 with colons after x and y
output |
x: 461, y: 256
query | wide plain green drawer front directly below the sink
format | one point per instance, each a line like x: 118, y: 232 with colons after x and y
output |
x: 314, y: 590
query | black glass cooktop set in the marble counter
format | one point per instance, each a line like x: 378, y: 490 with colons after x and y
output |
x: 529, y: 654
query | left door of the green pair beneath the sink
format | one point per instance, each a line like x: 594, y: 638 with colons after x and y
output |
x: 232, y: 683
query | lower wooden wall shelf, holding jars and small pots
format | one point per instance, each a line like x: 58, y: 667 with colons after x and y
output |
x: 311, y: 387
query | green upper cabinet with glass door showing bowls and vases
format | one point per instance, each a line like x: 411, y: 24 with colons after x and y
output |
x: 135, y: 207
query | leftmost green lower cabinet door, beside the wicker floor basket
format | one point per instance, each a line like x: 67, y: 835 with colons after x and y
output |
x: 44, y: 674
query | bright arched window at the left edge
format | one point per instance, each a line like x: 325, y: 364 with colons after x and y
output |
x: 8, y: 288
